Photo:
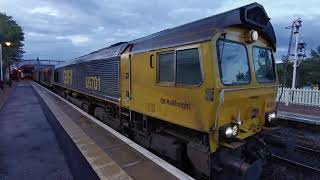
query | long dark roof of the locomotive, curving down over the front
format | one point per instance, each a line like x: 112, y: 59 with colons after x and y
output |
x: 252, y: 16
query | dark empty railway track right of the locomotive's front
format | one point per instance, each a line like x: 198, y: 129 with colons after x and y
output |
x: 295, y: 151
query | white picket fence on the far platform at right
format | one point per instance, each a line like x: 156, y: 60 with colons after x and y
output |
x: 299, y: 96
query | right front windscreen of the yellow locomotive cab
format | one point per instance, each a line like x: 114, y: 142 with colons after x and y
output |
x: 263, y: 65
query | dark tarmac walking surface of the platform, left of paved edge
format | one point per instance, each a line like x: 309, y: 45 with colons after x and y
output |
x: 28, y: 146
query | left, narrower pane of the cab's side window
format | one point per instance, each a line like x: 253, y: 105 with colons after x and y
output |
x: 166, y: 67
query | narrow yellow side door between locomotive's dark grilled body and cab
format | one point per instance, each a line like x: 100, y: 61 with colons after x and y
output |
x: 125, y: 68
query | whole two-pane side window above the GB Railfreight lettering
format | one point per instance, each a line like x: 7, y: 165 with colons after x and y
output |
x: 181, y: 67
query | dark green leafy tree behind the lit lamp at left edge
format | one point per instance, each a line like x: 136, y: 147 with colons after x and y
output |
x: 11, y: 31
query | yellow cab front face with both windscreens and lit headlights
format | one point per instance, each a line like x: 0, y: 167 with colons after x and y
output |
x: 246, y: 83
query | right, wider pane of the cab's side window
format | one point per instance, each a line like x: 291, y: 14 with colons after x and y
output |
x: 188, y: 67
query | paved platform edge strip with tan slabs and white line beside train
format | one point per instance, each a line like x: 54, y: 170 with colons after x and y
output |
x: 108, y: 153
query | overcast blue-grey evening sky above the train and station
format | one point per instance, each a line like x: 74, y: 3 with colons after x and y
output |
x: 64, y: 29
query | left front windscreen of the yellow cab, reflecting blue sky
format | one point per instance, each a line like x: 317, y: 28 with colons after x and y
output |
x: 233, y: 61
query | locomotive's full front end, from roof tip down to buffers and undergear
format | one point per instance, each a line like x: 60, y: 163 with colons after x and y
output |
x: 246, y: 84
